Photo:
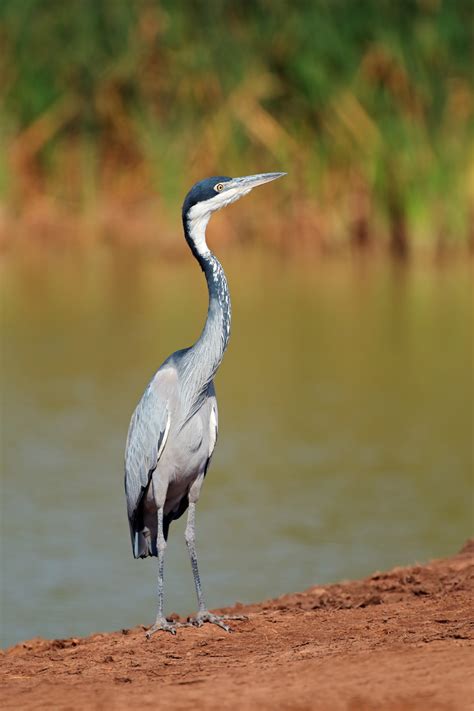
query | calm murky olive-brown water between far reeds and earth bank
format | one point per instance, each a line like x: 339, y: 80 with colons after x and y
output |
x: 344, y: 443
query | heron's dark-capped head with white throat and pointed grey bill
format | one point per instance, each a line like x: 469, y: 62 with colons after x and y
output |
x: 210, y: 195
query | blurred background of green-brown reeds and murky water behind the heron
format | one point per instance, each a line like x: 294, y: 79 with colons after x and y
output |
x: 346, y: 395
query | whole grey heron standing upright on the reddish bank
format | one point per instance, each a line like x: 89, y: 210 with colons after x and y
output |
x: 173, y: 430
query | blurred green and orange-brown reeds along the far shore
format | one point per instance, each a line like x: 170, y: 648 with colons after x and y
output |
x: 368, y: 105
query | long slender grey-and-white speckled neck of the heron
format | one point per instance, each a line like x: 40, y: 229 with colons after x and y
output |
x: 206, y: 355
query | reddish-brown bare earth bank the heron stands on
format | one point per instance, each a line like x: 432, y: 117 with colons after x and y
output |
x: 397, y: 640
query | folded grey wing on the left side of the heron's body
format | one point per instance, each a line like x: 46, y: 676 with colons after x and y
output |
x: 147, y: 436
